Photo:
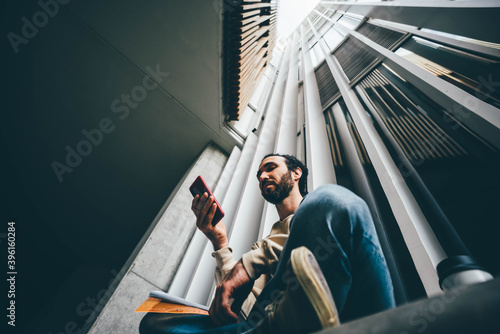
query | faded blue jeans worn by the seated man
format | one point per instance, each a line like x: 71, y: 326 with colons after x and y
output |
x: 336, y: 226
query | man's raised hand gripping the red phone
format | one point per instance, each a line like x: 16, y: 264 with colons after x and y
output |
x: 204, y: 208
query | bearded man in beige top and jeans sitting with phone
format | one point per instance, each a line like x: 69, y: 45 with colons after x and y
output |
x: 321, y: 264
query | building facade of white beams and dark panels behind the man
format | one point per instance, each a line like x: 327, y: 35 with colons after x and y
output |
x: 397, y: 101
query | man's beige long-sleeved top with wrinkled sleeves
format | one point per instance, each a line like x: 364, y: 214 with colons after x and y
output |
x: 260, y: 262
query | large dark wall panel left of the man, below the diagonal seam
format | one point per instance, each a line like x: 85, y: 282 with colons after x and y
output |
x: 75, y: 231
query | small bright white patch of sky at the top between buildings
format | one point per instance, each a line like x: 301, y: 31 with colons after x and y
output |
x: 291, y: 13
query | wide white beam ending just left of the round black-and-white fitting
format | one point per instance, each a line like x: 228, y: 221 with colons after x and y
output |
x: 422, y: 244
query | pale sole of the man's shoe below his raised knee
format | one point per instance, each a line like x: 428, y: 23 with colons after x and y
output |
x: 314, y: 284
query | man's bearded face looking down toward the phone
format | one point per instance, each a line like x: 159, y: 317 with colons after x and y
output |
x: 275, y: 180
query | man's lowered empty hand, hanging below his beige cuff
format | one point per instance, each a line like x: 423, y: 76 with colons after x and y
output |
x: 237, y: 285
